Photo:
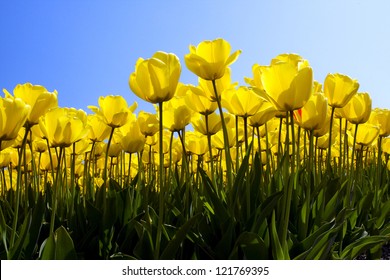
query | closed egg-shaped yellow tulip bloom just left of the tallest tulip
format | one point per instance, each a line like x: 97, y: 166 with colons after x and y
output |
x: 155, y: 79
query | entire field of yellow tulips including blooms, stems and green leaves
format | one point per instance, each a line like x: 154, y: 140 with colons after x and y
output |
x: 283, y: 167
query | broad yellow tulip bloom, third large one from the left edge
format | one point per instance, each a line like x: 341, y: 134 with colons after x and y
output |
x: 64, y: 126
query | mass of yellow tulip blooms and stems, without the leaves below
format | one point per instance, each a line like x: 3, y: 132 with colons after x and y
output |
x: 282, y: 118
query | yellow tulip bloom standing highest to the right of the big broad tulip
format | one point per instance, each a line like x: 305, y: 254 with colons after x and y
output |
x: 339, y: 89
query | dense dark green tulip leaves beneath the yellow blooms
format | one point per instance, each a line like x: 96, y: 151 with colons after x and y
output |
x: 205, y: 219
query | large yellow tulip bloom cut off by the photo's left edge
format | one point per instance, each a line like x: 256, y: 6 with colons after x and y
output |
x: 13, y: 115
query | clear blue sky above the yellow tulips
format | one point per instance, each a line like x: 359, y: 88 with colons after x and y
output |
x: 86, y: 49
